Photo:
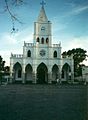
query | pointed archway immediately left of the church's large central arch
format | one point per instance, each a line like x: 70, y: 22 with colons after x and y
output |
x: 28, y: 73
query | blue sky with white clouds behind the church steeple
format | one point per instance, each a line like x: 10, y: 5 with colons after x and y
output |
x: 69, y: 25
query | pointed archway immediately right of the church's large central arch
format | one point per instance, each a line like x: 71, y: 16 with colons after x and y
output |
x: 55, y: 72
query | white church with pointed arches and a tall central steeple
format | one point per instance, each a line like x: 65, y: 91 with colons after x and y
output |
x: 41, y: 61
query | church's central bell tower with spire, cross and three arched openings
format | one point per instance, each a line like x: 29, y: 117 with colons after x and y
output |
x: 42, y: 28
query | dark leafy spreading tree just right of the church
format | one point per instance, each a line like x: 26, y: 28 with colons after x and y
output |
x: 79, y: 55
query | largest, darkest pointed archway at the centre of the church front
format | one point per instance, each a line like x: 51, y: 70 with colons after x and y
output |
x: 42, y: 74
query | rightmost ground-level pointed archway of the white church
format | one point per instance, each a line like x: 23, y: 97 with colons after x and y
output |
x: 66, y: 72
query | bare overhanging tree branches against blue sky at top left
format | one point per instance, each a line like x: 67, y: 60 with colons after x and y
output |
x: 9, y: 6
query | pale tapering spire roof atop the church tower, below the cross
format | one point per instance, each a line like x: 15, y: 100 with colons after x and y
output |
x: 42, y: 15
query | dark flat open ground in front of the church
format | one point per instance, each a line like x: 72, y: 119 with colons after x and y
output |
x: 43, y: 102
